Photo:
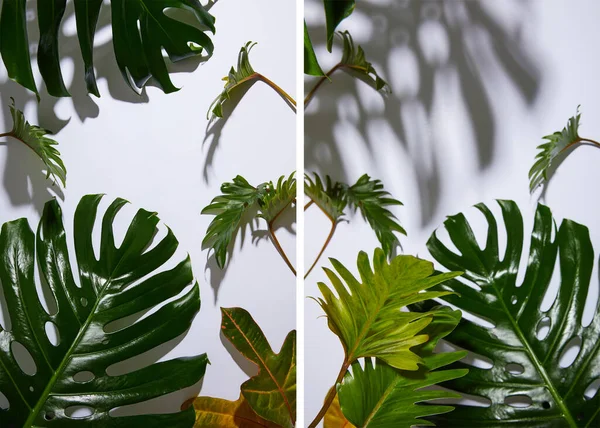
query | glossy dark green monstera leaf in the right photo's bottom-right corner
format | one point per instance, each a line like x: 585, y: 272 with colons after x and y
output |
x: 527, y: 343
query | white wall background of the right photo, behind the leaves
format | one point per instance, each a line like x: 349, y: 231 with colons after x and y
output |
x: 560, y: 40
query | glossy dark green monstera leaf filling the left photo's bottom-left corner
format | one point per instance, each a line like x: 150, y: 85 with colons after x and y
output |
x: 120, y: 284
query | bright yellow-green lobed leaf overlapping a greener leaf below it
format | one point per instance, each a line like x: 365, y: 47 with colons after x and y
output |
x: 367, y: 315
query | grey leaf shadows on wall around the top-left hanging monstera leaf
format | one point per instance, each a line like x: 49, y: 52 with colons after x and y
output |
x: 23, y: 179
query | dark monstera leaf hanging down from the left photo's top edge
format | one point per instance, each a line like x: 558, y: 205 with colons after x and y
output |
x: 140, y: 29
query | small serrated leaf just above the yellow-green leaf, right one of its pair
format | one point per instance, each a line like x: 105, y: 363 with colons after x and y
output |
x: 369, y: 197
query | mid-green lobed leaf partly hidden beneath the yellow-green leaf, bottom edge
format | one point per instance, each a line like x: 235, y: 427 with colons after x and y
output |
x: 383, y: 397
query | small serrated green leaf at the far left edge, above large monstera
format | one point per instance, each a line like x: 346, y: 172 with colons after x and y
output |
x: 35, y: 138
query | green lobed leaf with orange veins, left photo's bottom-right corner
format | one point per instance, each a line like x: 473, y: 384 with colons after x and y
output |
x: 272, y: 392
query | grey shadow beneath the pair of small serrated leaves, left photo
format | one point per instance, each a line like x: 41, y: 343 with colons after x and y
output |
x: 251, y: 227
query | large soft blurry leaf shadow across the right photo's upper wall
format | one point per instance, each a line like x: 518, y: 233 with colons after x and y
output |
x: 418, y: 46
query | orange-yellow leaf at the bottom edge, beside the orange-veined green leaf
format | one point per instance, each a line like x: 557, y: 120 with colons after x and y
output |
x: 219, y: 413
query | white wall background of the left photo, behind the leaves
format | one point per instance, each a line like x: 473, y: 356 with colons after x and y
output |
x: 151, y: 150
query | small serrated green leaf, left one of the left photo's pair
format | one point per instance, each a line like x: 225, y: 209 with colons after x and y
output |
x: 238, y: 197
